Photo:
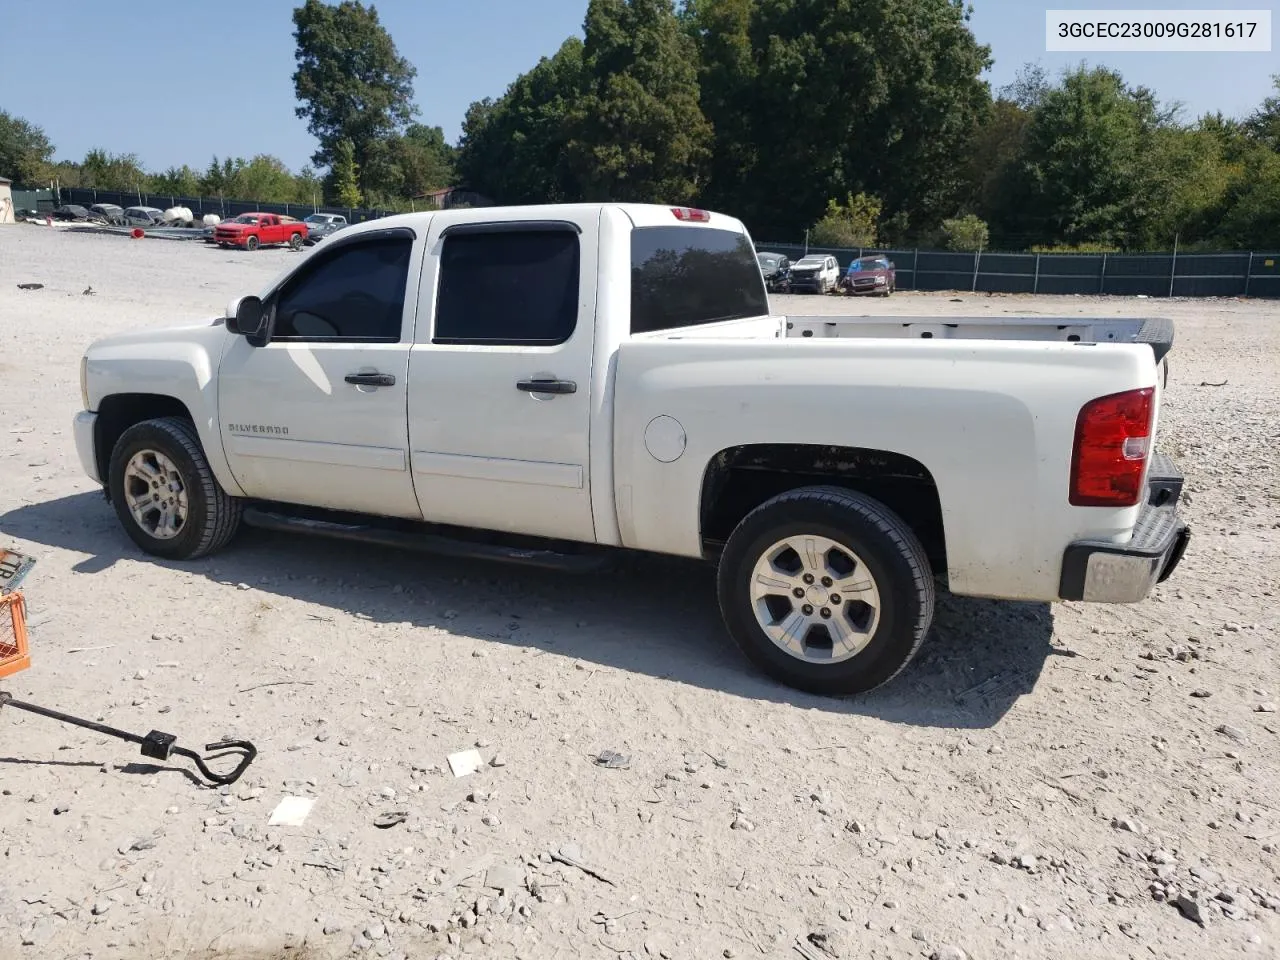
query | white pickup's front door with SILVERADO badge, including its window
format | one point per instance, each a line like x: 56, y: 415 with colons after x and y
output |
x: 318, y: 415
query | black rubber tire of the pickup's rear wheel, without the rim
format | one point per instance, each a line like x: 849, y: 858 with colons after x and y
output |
x: 893, y: 556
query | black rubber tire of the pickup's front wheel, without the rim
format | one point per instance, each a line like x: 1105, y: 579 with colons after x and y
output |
x: 213, y: 516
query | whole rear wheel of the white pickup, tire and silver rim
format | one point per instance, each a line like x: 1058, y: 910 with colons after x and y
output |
x: 826, y: 591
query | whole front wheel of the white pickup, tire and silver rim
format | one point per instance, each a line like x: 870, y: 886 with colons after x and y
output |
x: 166, y: 496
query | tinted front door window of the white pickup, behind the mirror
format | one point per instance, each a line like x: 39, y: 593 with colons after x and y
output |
x: 353, y: 294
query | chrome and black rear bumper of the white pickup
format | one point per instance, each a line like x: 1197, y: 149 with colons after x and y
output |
x: 1110, y: 573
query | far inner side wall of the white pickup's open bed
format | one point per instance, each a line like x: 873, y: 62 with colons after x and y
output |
x: 1156, y: 332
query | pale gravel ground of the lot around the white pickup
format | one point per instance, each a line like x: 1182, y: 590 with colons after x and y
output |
x: 1044, y: 783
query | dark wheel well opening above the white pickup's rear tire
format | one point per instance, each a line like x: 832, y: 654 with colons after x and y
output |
x: 739, y: 479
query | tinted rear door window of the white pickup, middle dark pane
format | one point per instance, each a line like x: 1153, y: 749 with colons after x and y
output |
x: 516, y: 289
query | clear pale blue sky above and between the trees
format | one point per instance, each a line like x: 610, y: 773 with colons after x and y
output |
x: 181, y: 83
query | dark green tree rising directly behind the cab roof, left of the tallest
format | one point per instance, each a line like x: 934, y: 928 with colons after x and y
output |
x: 514, y: 149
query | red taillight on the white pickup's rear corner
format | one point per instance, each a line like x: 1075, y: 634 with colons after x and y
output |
x: 1113, y: 440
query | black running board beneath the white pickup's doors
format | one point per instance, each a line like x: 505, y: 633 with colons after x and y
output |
x: 426, y: 542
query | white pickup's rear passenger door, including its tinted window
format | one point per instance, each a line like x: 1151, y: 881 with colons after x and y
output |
x: 501, y: 381
